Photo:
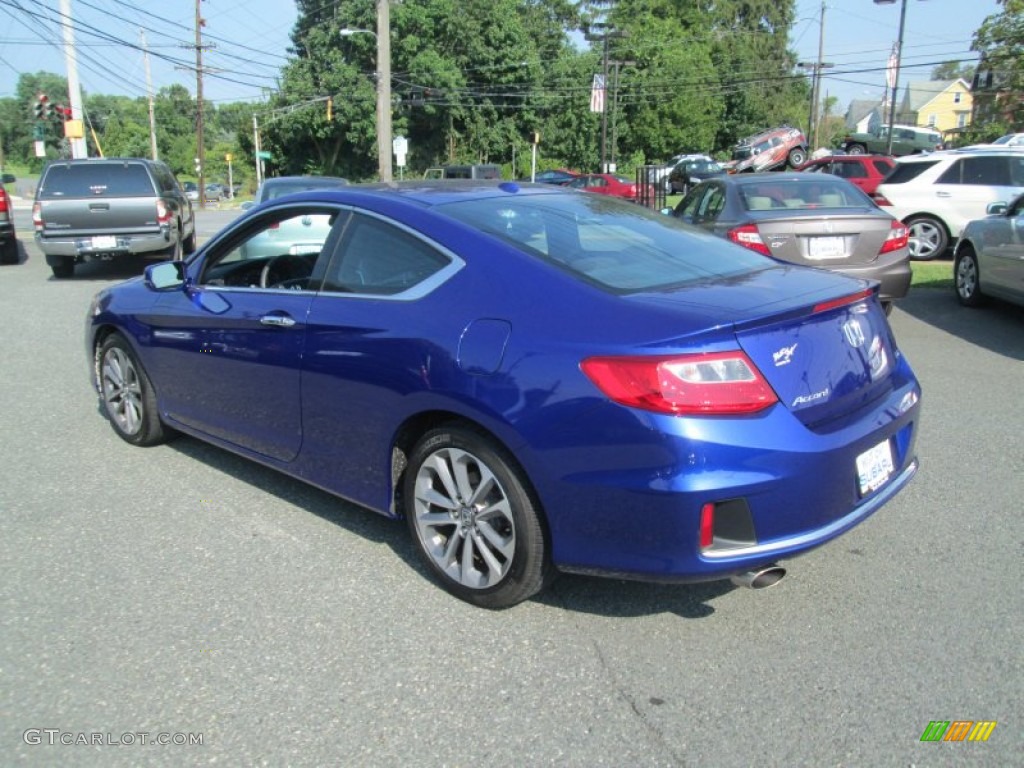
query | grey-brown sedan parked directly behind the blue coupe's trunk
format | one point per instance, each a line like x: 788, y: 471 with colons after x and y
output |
x: 809, y: 220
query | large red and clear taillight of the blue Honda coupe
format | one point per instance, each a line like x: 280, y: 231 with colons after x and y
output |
x: 711, y: 385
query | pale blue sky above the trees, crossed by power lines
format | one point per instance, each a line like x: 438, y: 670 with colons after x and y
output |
x: 250, y: 40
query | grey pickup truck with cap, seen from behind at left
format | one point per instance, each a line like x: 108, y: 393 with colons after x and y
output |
x: 106, y: 208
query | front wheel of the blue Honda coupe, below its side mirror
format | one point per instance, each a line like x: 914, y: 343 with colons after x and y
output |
x: 126, y: 395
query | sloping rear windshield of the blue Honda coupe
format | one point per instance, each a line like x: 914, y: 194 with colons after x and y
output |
x: 617, y: 246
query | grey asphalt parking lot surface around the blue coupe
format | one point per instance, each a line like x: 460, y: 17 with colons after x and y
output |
x: 186, y: 592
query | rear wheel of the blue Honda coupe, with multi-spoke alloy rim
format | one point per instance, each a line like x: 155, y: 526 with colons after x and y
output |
x: 475, y: 520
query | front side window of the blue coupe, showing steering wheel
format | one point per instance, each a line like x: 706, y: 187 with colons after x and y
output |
x: 278, y: 251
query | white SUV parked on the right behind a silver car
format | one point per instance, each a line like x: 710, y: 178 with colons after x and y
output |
x: 936, y: 195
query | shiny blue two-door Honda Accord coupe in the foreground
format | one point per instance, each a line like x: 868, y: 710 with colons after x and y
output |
x: 538, y: 380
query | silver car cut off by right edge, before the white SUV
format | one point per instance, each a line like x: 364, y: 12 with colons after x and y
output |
x: 990, y: 257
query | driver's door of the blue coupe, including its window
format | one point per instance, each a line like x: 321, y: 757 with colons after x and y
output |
x: 235, y: 337
